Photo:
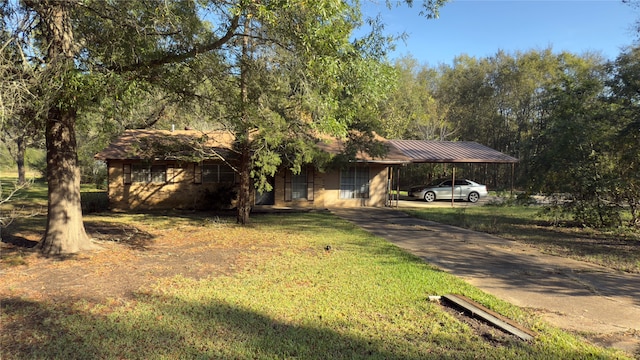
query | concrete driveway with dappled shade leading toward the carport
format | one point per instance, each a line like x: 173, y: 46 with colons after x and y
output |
x: 570, y: 294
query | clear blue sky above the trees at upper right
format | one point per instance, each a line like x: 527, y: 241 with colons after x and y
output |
x: 482, y: 27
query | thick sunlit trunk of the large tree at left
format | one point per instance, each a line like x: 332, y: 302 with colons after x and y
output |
x: 65, y: 233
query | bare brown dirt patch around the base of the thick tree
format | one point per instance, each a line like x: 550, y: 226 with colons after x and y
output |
x: 130, y: 258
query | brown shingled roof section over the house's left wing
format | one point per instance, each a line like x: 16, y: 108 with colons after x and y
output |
x: 165, y: 144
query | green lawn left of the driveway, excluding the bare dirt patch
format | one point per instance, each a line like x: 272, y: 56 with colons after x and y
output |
x: 364, y: 298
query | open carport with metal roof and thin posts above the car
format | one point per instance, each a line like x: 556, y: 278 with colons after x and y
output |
x: 448, y: 152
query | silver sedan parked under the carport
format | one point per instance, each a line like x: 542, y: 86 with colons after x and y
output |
x: 441, y: 190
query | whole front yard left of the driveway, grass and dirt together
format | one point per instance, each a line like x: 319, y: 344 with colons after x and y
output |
x: 195, y: 285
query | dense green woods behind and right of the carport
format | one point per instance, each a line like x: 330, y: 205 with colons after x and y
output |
x: 570, y: 119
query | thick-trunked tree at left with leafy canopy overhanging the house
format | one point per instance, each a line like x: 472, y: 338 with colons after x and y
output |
x: 95, y: 53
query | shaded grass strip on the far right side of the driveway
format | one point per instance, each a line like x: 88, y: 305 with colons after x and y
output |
x: 617, y: 249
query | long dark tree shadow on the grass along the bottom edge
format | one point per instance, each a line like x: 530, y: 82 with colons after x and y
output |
x: 175, y: 328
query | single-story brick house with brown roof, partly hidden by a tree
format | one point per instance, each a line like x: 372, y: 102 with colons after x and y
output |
x: 162, y: 169
